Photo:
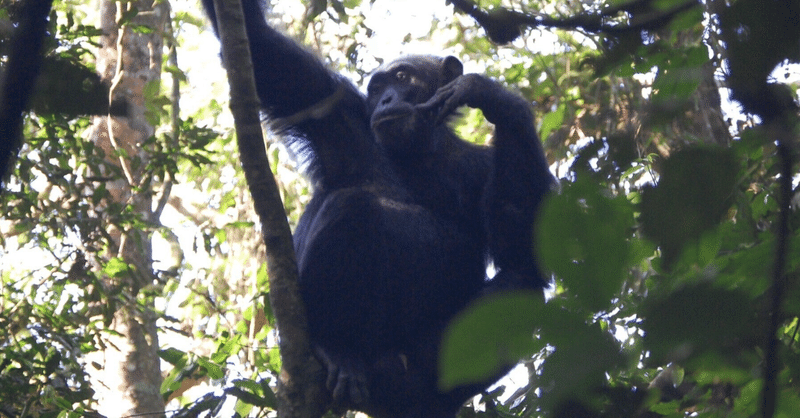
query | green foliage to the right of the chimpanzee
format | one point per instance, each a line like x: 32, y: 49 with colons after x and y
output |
x: 662, y: 236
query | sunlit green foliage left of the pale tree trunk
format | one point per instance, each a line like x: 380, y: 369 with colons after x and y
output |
x: 51, y: 314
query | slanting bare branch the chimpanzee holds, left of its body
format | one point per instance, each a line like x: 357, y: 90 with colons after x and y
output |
x: 300, y: 390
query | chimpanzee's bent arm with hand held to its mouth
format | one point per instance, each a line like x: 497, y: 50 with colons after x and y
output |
x: 519, y: 179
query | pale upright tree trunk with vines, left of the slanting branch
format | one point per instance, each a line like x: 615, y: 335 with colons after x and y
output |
x: 129, y: 380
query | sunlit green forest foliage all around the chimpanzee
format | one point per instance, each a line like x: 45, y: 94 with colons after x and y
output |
x: 662, y: 239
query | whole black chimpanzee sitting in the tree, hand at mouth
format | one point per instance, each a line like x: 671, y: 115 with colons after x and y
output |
x: 405, y: 215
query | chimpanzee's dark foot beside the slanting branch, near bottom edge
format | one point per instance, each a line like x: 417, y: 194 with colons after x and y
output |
x: 346, y: 378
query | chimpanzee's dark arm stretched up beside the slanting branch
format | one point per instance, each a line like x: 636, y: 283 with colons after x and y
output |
x: 308, y: 100
